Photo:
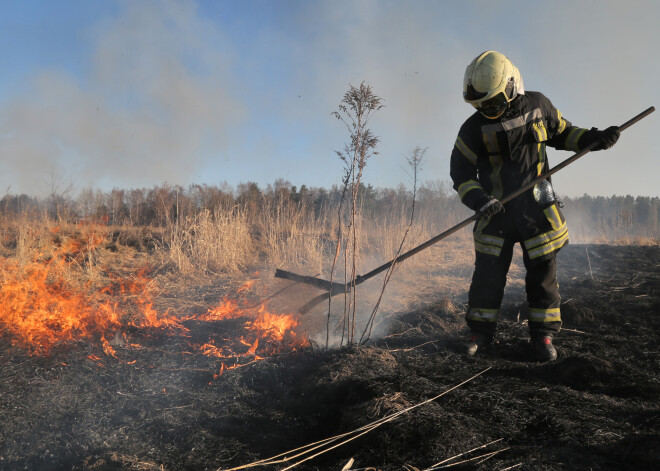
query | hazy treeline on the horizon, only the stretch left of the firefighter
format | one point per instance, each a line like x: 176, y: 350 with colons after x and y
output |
x: 163, y: 205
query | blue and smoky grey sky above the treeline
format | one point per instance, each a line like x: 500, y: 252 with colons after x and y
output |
x: 132, y: 94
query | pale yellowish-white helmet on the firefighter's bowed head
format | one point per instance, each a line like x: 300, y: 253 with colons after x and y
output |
x: 491, y: 82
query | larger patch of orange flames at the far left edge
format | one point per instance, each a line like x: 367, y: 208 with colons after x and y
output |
x: 42, y: 305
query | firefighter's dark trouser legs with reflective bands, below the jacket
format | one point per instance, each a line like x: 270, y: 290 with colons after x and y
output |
x: 487, y: 290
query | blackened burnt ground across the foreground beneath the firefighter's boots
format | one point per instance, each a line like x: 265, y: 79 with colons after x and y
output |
x: 596, y: 407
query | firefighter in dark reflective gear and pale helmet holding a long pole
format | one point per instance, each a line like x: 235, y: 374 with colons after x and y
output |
x: 500, y: 148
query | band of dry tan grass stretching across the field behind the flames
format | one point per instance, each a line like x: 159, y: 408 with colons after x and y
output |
x: 235, y: 243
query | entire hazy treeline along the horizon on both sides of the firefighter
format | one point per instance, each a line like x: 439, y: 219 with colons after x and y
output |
x: 436, y: 202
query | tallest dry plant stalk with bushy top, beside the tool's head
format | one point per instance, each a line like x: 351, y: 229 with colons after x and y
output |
x: 355, y: 111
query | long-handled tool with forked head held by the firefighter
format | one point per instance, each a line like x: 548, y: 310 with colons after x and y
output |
x: 333, y: 288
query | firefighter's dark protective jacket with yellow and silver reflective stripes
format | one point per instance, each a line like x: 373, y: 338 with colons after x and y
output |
x: 498, y: 156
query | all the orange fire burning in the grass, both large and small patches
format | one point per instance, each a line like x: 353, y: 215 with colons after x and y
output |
x: 43, y: 304
